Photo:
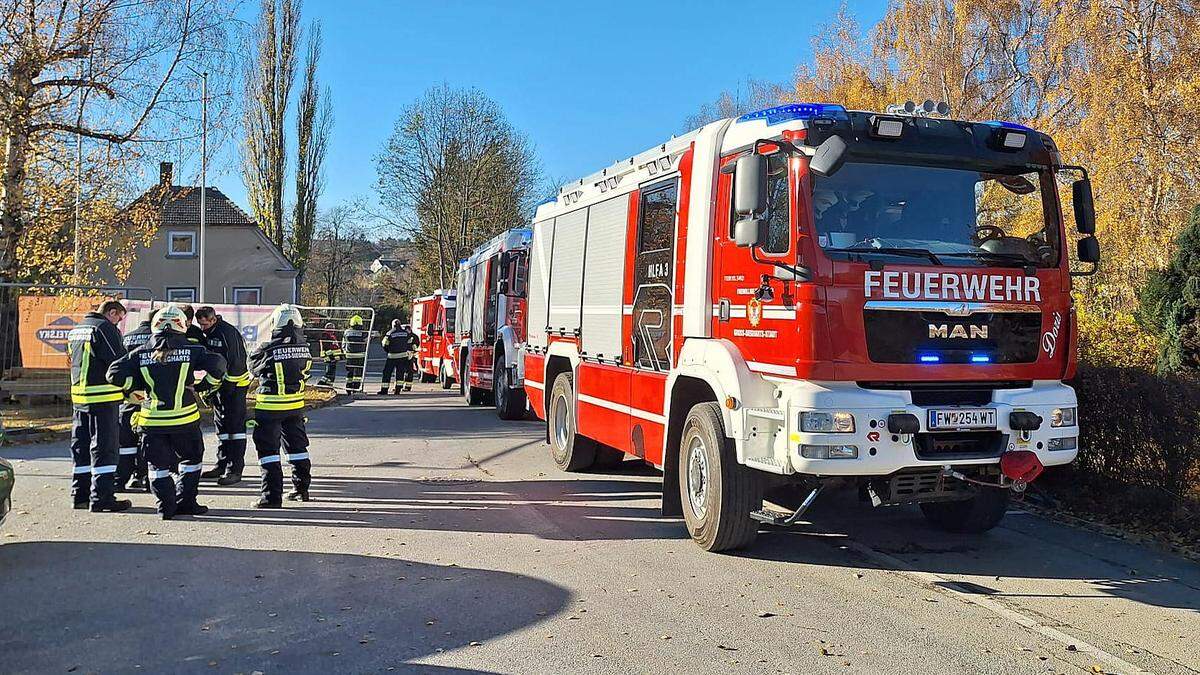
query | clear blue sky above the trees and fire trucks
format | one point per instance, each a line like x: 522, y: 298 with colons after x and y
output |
x: 587, y: 82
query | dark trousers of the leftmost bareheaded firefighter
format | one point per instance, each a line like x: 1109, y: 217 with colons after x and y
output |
x: 94, y: 452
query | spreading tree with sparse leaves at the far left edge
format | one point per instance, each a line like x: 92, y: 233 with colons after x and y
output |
x: 98, y: 70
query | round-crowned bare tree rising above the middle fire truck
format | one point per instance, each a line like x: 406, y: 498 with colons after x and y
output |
x: 453, y: 174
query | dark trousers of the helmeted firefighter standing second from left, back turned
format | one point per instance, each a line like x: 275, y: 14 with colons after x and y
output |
x: 166, y: 450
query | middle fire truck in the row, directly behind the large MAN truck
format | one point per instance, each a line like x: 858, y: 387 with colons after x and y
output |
x: 493, y: 285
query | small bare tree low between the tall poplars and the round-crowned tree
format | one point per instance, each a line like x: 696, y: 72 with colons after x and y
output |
x: 339, y: 250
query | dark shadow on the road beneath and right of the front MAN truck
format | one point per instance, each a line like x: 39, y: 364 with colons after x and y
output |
x: 1023, y: 547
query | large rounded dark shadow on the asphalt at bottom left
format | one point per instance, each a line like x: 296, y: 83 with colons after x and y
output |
x: 215, y: 610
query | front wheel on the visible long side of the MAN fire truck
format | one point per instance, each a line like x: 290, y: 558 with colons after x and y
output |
x: 718, y: 494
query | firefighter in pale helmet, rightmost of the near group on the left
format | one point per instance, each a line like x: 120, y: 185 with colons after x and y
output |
x: 283, y: 369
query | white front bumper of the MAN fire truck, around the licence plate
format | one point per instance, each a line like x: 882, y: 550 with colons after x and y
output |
x: 881, y: 453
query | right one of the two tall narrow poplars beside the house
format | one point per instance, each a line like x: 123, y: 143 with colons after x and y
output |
x: 315, y: 120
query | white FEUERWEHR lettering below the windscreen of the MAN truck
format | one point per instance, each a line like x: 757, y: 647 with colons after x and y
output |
x: 952, y: 286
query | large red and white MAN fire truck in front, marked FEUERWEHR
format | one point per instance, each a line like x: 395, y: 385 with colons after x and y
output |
x: 809, y: 296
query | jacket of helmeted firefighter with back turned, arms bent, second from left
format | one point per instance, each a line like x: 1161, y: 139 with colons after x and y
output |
x: 165, y: 369
